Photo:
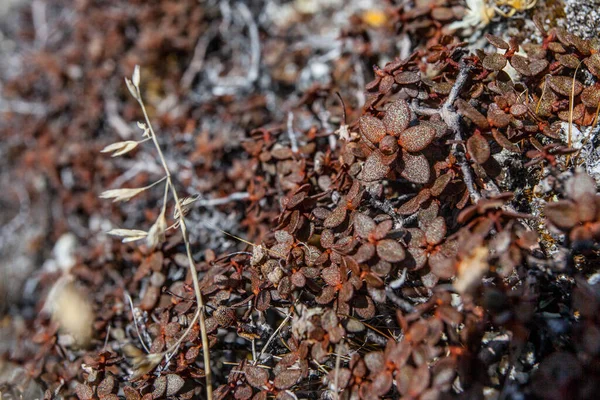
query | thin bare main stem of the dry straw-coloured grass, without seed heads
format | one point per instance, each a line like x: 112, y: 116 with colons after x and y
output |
x: 191, y: 264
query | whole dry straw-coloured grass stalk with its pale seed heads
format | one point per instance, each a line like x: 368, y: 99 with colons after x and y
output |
x: 156, y: 235
